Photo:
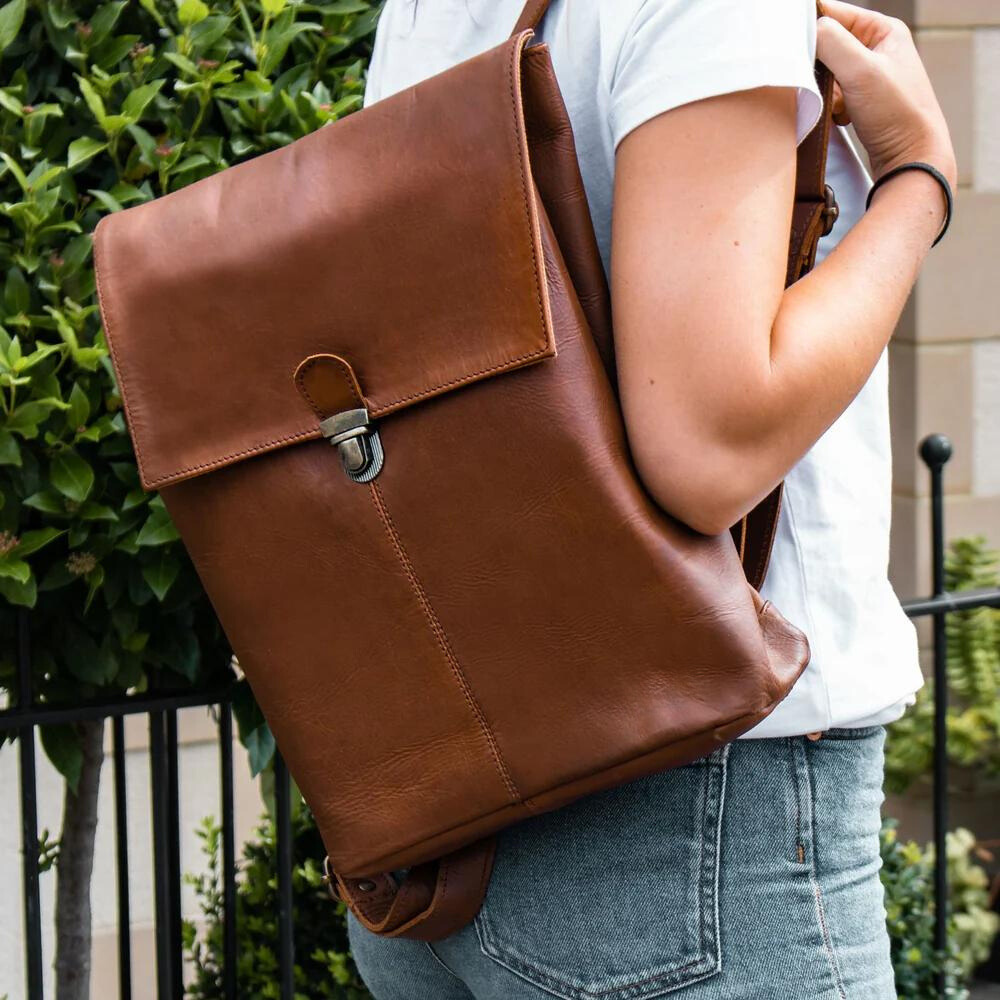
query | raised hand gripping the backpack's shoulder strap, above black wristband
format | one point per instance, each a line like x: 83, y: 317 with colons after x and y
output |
x: 882, y: 87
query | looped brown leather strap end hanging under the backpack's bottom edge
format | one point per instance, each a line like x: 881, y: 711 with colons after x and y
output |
x: 433, y: 901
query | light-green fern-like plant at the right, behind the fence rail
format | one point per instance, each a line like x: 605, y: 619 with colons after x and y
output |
x: 973, y: 639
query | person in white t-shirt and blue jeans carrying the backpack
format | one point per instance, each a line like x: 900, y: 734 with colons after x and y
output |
x: 752, y: 873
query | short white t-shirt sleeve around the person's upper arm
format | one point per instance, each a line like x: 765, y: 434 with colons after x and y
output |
x: 677, y: 51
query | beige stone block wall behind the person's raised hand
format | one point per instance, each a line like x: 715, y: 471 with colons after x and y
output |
x: 945, y: 357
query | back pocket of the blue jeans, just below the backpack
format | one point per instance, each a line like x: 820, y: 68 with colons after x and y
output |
x: 614, y: 897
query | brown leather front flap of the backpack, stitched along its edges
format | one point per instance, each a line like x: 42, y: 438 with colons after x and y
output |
x: 404, y: 239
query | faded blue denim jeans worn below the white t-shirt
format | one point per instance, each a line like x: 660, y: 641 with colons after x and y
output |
x: 750, y: 874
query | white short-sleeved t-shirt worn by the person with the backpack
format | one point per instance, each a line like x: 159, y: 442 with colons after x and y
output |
x: 620, y: 63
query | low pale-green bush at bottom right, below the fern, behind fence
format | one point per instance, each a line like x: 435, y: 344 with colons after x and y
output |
x: 908, y: 877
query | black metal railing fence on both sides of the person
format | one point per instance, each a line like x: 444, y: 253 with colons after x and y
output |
x: 161, y: 710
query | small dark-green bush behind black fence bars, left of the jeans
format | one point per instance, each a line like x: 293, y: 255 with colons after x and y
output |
x: 323, y: 967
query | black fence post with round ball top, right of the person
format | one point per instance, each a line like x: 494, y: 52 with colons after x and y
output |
x: 936, y: 450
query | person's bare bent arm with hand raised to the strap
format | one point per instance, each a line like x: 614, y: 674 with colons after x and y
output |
x: 726, y: 378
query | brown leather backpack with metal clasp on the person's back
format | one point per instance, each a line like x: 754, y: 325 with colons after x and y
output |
x: 372, y: 374
